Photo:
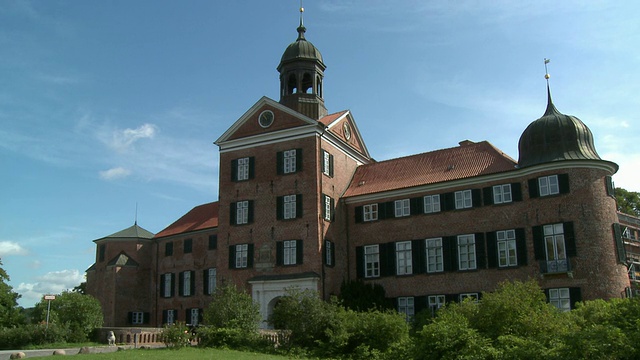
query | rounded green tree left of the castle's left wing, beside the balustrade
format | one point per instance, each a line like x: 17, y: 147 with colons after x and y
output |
x: 80, y: 313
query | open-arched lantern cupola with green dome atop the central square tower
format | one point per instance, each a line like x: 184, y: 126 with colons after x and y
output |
x: 301, y: 73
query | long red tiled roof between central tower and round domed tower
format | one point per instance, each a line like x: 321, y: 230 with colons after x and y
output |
x: 467, y: 160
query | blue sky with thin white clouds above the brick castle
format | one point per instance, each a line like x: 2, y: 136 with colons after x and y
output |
x: 109, y: 109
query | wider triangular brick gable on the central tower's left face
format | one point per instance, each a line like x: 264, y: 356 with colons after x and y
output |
x: 247, y: 125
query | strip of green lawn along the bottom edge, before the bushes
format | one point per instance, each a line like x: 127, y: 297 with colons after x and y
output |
x: 182, y: 354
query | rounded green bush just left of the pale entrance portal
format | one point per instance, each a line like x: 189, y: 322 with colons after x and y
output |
x: 233, y: 309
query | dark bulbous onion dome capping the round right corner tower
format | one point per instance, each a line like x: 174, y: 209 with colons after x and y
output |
x: 555, y: 137
